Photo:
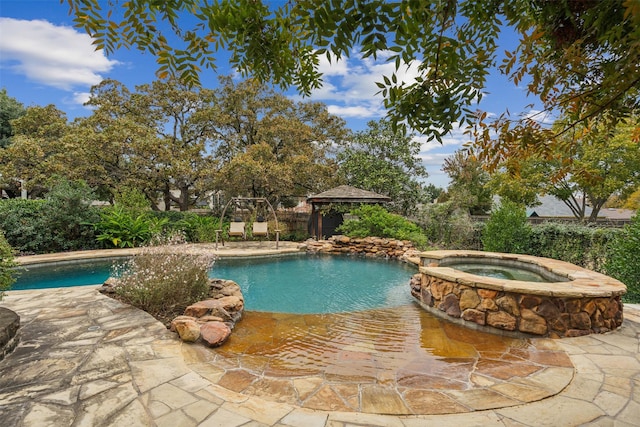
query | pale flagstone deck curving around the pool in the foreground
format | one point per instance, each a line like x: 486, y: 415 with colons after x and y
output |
x: 87, y: 360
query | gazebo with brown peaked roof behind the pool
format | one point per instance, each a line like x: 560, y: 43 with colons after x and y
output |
x: 324, y: 220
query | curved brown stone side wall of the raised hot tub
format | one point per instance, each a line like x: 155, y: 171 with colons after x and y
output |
x: 515, y: 312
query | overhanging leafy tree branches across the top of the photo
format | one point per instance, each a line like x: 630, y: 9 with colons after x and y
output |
x: 578, y: 57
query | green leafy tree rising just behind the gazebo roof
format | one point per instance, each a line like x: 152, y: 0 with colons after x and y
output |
x: 385, y: 161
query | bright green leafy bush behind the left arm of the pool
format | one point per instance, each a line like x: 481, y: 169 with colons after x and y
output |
x: 121, y: 228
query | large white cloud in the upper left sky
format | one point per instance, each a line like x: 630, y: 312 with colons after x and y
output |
x: 56, y: 56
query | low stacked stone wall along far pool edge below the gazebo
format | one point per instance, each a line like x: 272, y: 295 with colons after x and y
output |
x: 367, y: 246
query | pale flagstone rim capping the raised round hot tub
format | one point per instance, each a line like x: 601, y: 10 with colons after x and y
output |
x: 580, y: 281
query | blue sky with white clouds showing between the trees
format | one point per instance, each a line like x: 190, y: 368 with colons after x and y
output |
x: 44, y: 60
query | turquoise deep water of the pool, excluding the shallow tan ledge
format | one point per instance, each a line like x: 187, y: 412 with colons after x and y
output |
x: 301, y: 284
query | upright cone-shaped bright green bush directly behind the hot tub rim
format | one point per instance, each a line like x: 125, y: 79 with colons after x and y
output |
x: 507, y: 229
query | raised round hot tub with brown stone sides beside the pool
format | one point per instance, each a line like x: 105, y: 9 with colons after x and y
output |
x: 552, y: 298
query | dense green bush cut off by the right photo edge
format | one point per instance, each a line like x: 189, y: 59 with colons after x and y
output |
x: 624, y: 259
